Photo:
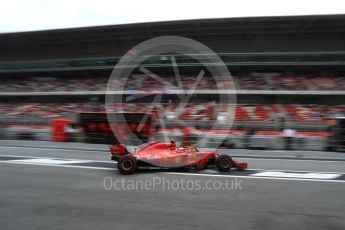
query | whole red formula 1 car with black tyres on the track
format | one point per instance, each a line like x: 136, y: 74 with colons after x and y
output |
x: 166, y: 155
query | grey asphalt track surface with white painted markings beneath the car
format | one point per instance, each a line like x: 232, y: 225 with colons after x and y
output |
x: 47, y: 188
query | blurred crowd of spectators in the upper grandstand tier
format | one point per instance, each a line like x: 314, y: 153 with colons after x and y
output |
x: 141, y: 82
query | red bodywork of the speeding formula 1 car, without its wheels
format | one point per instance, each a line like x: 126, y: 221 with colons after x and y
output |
x: 168, y: 156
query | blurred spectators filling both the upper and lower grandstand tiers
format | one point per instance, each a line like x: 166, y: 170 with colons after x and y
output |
x: 142, y: 82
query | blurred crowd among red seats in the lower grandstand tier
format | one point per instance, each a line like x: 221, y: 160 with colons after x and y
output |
x: 197, y: 112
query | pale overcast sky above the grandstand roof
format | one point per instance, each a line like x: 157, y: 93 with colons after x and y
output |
x: 26, y: 15
